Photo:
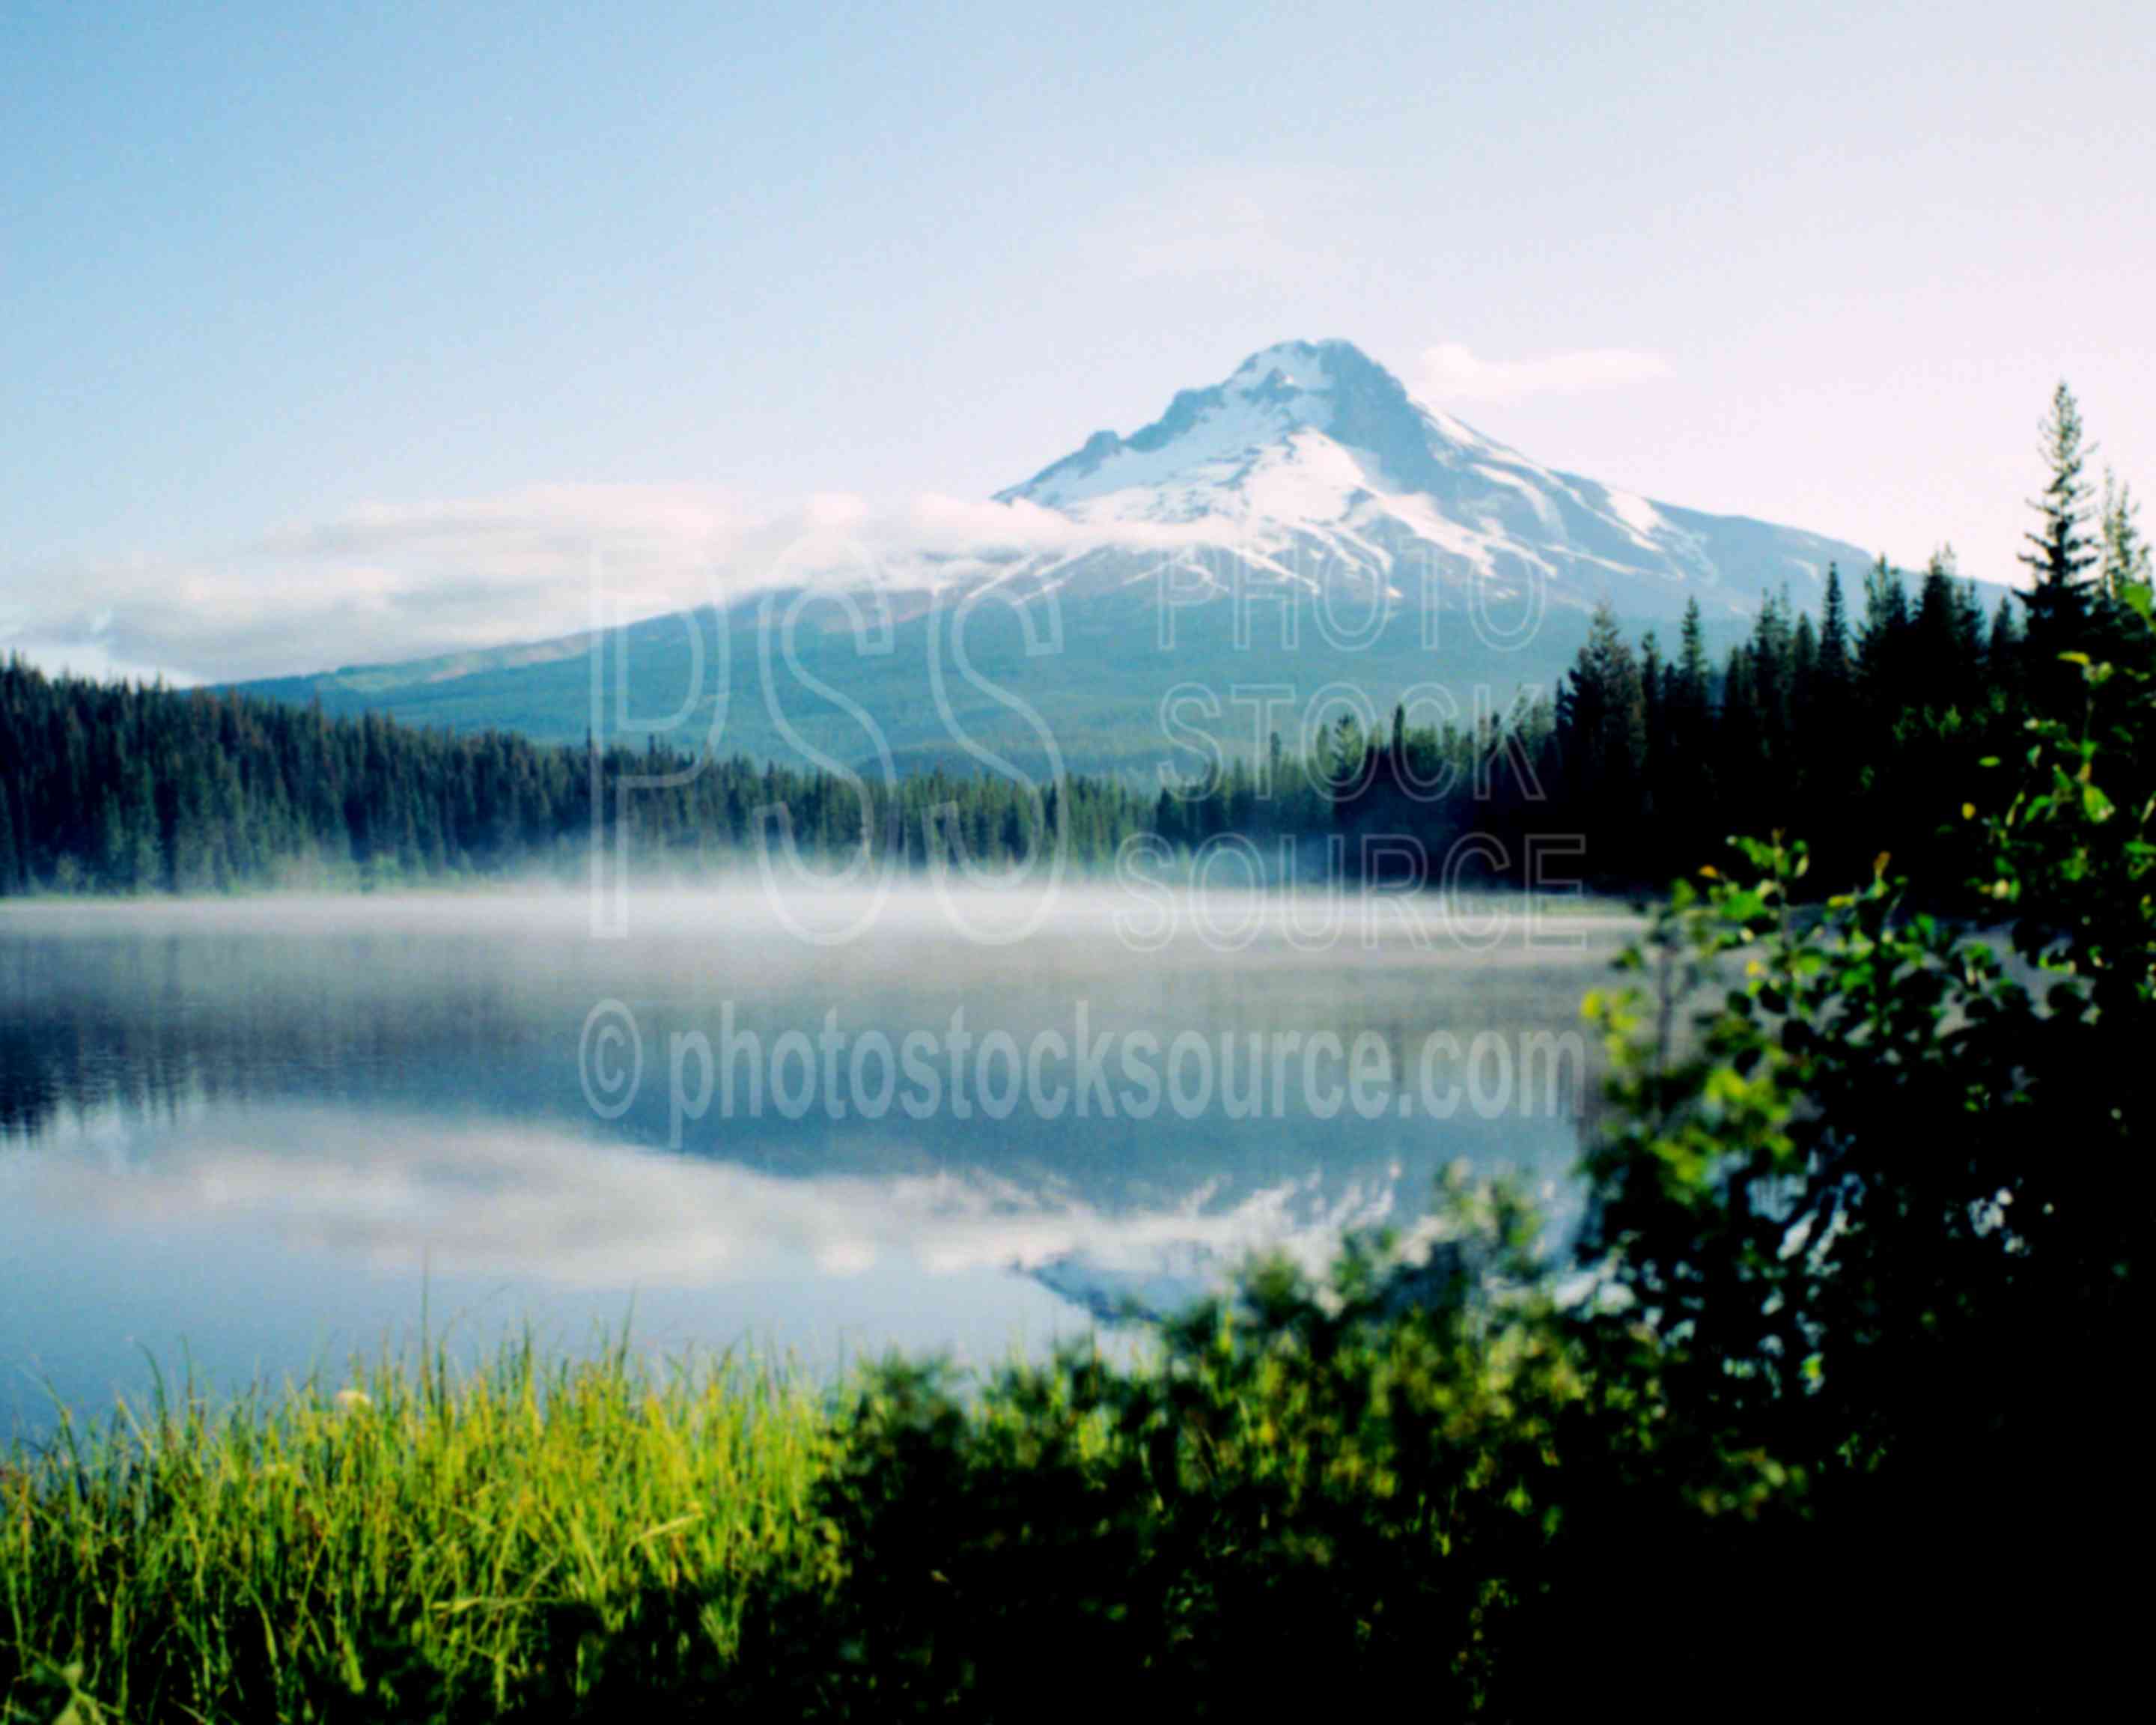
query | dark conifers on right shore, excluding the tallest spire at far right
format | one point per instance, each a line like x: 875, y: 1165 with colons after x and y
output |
x: 1847, y: 728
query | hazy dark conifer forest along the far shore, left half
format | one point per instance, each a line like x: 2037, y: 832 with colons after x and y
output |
x: 133, y: 790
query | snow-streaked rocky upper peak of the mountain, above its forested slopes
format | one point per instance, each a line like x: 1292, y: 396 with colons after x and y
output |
x: 1316, y: 465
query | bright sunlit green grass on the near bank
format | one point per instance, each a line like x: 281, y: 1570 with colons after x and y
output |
x: 415, y: 1541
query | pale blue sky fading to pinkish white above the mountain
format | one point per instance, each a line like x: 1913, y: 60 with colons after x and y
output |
x: 294, y: 296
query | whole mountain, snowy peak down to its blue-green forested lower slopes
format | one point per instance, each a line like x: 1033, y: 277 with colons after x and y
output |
x: 1310, y: 469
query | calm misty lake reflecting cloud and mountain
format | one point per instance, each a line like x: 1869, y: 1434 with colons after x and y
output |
x: 253, y: 1137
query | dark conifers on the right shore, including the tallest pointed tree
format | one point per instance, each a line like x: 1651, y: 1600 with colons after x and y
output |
x: 1855, y: 728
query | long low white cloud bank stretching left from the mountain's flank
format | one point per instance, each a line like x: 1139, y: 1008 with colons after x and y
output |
x: 417, y: 581
